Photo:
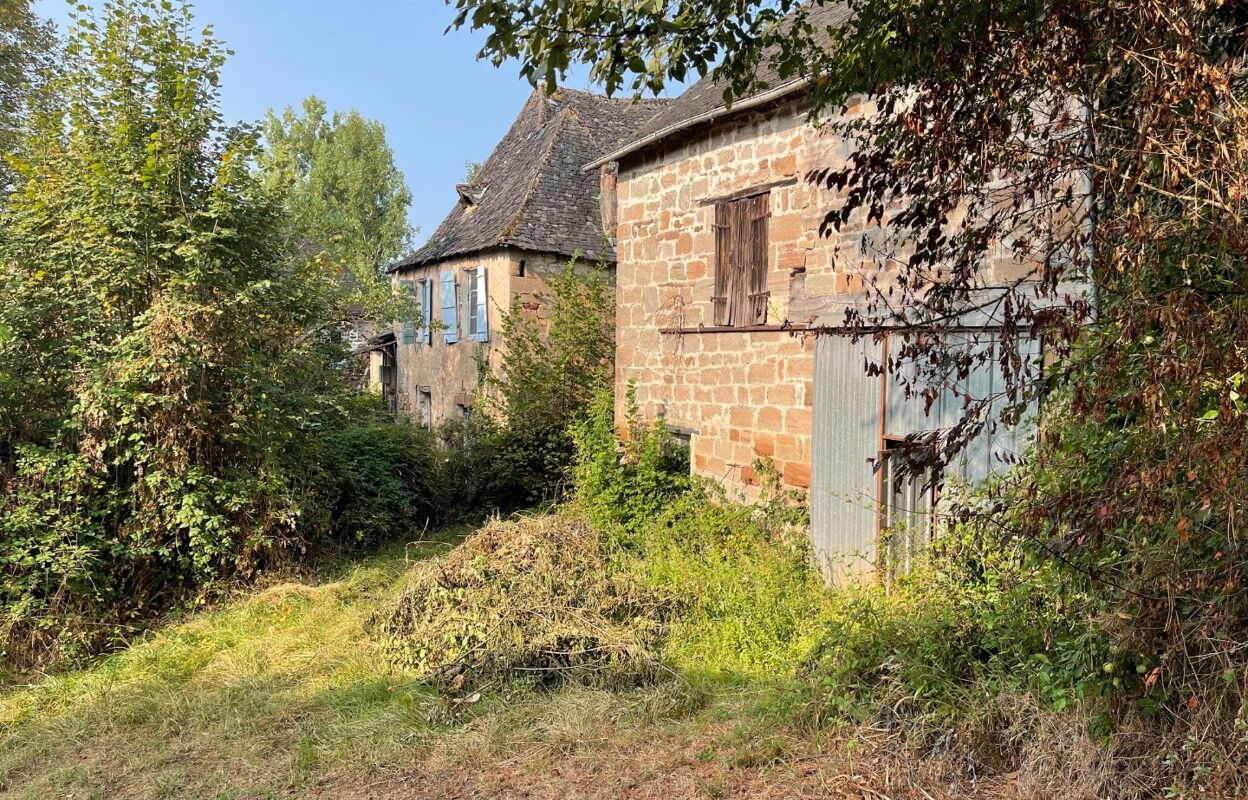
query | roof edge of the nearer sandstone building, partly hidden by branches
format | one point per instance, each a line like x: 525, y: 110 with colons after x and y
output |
x: 703, y: 103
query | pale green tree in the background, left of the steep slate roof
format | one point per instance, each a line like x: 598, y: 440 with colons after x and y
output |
x: 345, y: 199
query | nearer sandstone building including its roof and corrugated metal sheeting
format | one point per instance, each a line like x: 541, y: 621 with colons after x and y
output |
x: 722, y: 280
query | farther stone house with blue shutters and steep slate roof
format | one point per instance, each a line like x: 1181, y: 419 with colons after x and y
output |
x: 530, y: 210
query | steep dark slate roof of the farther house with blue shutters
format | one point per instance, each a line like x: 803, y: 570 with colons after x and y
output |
x: 534, y: 193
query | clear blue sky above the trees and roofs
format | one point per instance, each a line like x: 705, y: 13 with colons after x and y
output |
x: 388, y: 59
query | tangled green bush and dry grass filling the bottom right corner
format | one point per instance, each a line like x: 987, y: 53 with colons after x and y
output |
x: 994, y: 642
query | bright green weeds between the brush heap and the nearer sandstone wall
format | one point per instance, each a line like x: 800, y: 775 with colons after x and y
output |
x: 744, y: 573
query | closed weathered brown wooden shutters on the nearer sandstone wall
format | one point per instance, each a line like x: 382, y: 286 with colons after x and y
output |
x: 742, y: 294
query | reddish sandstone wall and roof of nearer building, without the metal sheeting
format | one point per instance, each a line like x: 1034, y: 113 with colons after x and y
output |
x: 712, y: 346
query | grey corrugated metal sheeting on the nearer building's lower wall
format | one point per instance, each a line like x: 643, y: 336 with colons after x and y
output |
x: 848, y: 437
